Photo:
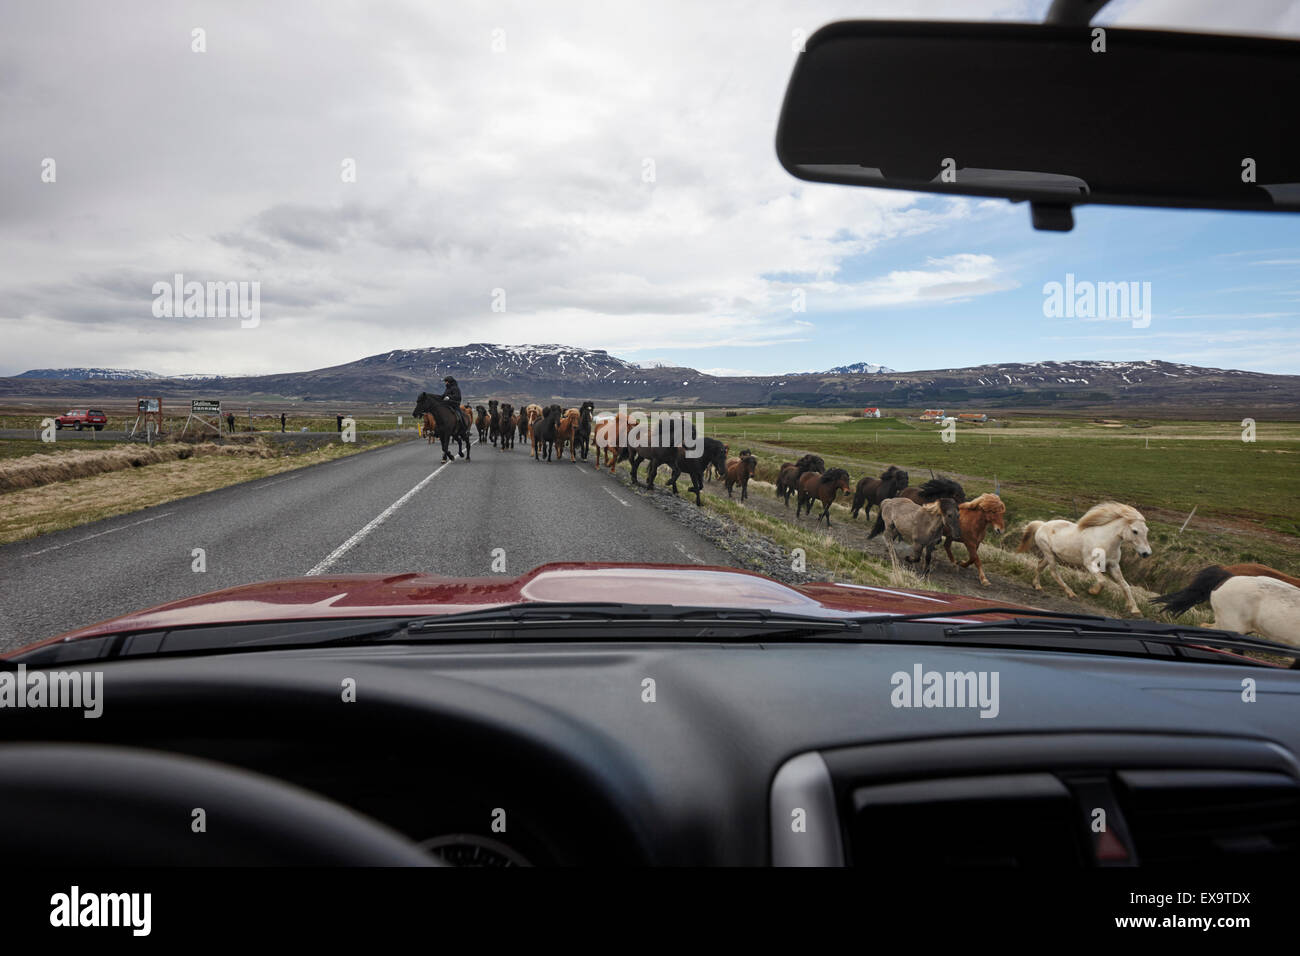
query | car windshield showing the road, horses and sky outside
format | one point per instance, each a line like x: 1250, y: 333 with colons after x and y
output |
x: 491, y: 302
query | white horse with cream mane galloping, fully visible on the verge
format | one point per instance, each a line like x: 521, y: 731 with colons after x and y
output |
x: 1093, y: 543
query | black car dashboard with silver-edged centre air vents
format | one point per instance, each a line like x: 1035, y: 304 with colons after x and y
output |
x: 740, y: 755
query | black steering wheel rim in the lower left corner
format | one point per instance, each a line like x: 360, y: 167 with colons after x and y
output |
x: 90, y: 806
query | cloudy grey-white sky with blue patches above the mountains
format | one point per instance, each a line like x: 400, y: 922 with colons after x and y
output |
x: 506, y: 146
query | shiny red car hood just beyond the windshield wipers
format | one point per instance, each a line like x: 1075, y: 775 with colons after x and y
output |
x: 362, y: 596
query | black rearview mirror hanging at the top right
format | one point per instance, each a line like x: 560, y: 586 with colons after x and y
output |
x: 1058, y: 116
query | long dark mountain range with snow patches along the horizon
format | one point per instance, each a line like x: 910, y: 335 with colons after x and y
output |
x: 569, y: 374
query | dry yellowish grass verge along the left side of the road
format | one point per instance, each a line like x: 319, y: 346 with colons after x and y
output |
x: 29, y: 513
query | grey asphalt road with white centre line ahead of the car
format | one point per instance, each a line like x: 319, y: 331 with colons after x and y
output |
x: 392, y: 511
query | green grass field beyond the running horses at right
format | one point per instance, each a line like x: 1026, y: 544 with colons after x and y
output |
x: 1245, y: 494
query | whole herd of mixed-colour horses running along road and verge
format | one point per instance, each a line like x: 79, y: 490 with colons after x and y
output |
x: 1249, y: 599
